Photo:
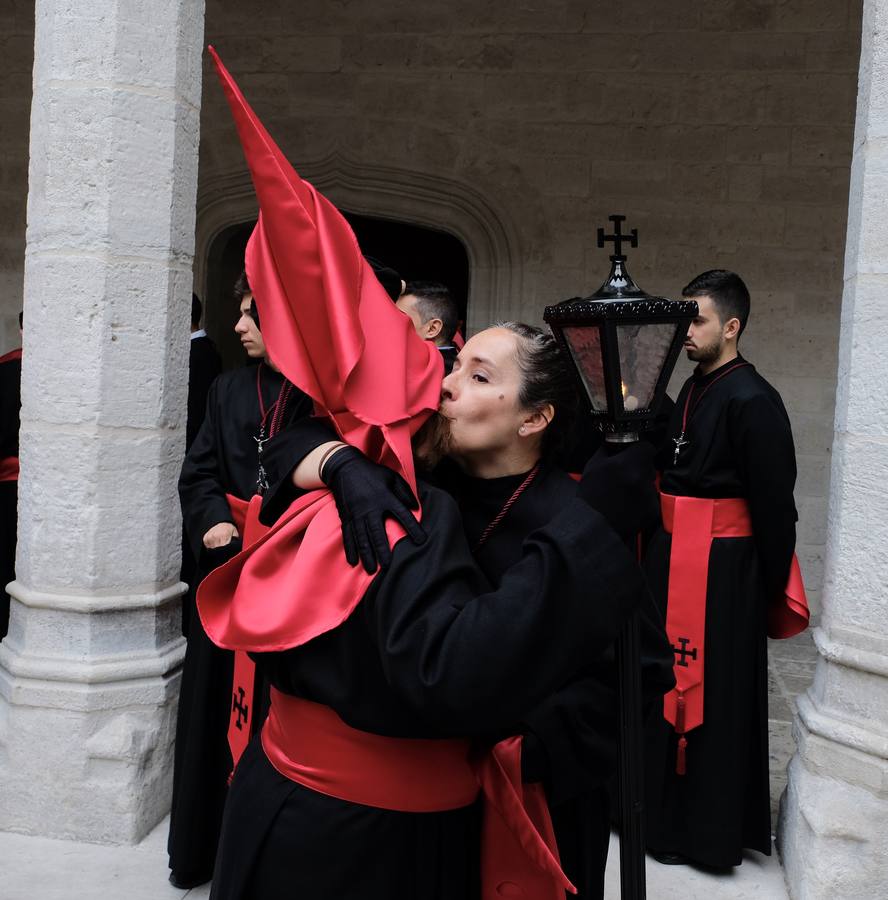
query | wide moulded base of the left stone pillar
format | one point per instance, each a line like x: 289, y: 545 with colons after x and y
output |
x: 103, y: 719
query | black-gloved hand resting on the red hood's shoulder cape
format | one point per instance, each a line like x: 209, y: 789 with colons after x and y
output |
x: 366, y: 495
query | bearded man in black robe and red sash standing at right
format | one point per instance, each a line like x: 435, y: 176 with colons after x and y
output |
x: 719, y: 570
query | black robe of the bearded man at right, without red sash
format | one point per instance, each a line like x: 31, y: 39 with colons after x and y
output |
x: 739, y: 445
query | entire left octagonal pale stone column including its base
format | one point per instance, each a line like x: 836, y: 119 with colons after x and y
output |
x: 89, y: 672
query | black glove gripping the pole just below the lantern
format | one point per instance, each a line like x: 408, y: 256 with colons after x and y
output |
x: 621, y: 487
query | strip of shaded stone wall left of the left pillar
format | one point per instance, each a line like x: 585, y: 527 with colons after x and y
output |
x: 16, y: 62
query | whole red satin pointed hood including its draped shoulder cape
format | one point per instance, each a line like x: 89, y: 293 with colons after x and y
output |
x: 335, y: 333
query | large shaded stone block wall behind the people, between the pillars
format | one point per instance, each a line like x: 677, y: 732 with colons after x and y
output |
x: 722, y: 130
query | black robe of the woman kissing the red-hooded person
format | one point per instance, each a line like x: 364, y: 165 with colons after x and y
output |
x: 571, y: 737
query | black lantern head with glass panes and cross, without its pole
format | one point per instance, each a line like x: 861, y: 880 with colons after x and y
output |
x: 623, y: 343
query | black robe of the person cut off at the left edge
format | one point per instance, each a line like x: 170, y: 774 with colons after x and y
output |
x: 10, y: 407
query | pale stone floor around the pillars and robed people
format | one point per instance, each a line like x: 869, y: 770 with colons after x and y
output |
x: 36, y: 868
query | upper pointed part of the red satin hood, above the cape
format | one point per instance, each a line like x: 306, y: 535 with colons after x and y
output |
x: 327, y: 322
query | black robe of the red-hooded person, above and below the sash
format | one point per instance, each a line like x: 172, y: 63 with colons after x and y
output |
x: 431, y: 651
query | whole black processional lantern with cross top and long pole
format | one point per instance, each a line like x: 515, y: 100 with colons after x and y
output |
x: 624, y: 344
